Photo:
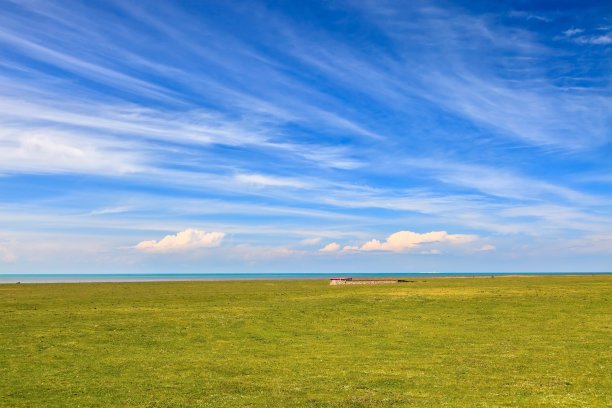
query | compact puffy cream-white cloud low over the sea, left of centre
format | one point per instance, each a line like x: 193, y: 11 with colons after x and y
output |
x: 183, y: 241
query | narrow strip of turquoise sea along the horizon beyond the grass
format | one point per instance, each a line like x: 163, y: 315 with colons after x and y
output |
x: 116, y: 278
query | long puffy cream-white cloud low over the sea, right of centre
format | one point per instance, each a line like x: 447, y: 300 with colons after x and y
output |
x: 404, y: 240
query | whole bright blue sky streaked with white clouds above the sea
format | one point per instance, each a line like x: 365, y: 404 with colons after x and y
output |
x: 333, y: 136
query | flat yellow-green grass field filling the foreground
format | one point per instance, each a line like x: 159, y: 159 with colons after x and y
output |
x: 513, y: 341
